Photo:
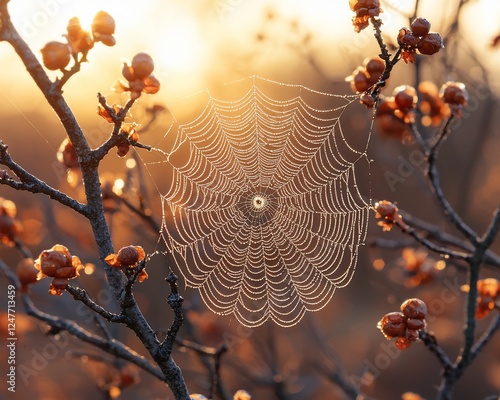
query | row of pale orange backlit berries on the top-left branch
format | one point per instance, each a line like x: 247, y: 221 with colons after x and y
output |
x: 57, y: 55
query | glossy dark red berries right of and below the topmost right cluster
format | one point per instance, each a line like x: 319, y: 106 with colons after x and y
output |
x: 418, y: 37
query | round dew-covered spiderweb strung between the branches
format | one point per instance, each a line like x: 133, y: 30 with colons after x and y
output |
x: 263, y: 213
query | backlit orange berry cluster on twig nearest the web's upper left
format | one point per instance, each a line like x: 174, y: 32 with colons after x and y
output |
x: 139, y: 76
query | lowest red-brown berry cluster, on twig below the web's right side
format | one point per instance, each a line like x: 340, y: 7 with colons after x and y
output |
x: 404, y: 325
